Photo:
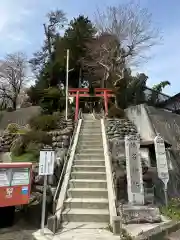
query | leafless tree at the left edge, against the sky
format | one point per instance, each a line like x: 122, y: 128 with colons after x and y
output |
x: 12, y: 77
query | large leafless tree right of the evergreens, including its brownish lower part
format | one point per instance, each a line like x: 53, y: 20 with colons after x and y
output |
x: 131, y: 26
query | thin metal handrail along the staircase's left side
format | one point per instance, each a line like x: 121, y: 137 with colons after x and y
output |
x: 65, y: 163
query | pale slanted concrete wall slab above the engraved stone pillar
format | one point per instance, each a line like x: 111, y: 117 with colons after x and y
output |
x: 138, y: 115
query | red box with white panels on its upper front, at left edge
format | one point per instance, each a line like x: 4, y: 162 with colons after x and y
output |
x: 15, y: 183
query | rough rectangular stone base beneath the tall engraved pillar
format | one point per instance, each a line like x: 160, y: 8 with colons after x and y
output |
x: 140, y: 214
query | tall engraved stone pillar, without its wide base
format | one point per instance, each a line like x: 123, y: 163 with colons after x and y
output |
x: 134, y: 170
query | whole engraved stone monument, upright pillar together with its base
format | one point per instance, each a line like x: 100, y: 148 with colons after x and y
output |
x: 136, y: 211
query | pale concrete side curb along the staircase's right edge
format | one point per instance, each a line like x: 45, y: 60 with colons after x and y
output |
x: 109, y: 174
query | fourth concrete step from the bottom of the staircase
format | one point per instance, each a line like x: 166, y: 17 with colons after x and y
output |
x: 87, y: 183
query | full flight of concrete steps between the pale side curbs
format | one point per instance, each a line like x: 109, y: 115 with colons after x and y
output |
x: 87, y: 195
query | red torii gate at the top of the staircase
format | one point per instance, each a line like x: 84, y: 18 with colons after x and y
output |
x: 84, y: 92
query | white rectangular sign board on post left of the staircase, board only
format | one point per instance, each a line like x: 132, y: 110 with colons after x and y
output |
x: 46, y: 162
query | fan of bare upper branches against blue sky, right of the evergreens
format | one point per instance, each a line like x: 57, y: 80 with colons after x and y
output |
x: 132, y: 25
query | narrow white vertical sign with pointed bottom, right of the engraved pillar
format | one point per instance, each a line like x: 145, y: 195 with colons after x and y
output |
x: 161, y: 159
